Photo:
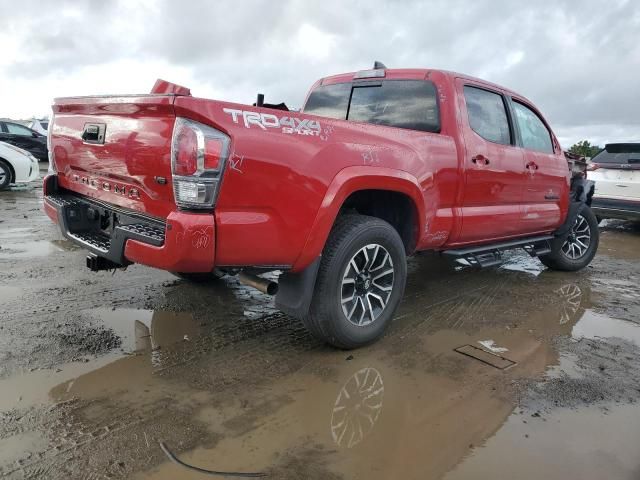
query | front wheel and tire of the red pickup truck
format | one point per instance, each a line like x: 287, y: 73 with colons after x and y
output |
x: 561, y: 259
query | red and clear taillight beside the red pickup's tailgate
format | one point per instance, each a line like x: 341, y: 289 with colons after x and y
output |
x: 198, y: 157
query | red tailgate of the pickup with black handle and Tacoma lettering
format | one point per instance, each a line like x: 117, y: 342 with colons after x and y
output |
x: 116, y: 149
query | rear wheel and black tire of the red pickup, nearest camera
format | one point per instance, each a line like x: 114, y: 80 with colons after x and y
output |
x: 357, y: 238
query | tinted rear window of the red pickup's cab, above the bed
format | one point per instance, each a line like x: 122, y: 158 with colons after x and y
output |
x: 409, y: 104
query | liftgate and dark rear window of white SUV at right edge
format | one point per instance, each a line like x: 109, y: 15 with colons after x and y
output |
x: 616, y: 171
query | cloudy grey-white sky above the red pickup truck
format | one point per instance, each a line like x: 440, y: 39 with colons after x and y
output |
x: 578, y: 61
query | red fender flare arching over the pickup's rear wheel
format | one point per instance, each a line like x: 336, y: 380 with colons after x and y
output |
x: 350, y: 180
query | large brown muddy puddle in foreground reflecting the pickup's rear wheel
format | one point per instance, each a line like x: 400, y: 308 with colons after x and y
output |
x: 374, y: 413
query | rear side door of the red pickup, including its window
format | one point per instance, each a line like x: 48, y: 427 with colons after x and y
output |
x: 493, y: 166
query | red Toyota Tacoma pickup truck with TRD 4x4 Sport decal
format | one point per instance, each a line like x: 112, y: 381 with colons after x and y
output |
x: 378, y: 164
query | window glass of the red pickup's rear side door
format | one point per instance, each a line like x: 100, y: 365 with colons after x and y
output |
x: 487, y: 115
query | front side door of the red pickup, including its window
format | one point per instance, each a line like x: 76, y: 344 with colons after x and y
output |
x: 546, y: 173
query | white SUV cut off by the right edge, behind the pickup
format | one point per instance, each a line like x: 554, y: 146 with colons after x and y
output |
x: 616, y: 171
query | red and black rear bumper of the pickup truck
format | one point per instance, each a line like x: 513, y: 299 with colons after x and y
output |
x: 184, y: 242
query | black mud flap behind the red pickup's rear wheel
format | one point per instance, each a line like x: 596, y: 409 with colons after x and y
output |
x: 295, y: 290
